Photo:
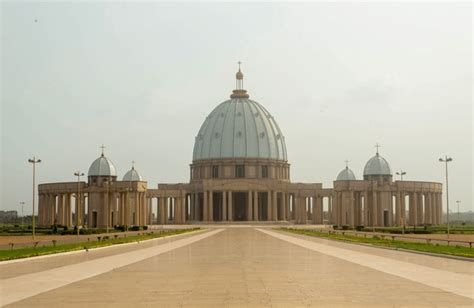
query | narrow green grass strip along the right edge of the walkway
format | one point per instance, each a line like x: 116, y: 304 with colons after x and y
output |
x: 397, y: 244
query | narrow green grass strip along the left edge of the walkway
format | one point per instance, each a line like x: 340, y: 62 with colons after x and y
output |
x: 27, y: 252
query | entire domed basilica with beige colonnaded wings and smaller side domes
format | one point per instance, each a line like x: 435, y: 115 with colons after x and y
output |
x: 239, y: 173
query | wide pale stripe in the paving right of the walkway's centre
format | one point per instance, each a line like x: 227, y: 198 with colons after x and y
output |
x: 460, y: 284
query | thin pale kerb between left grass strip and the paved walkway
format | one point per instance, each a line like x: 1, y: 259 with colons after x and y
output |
x: 93, y: 249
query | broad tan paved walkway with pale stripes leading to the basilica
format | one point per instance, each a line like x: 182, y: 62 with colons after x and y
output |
x: 243, y: 266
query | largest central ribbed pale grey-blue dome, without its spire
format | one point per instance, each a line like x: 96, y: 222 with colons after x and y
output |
x: 239, y: 128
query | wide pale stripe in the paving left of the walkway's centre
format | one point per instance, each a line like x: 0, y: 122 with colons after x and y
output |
x: 25, y: 286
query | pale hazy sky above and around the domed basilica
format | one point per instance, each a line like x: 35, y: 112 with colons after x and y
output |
x: 141, y: 78
